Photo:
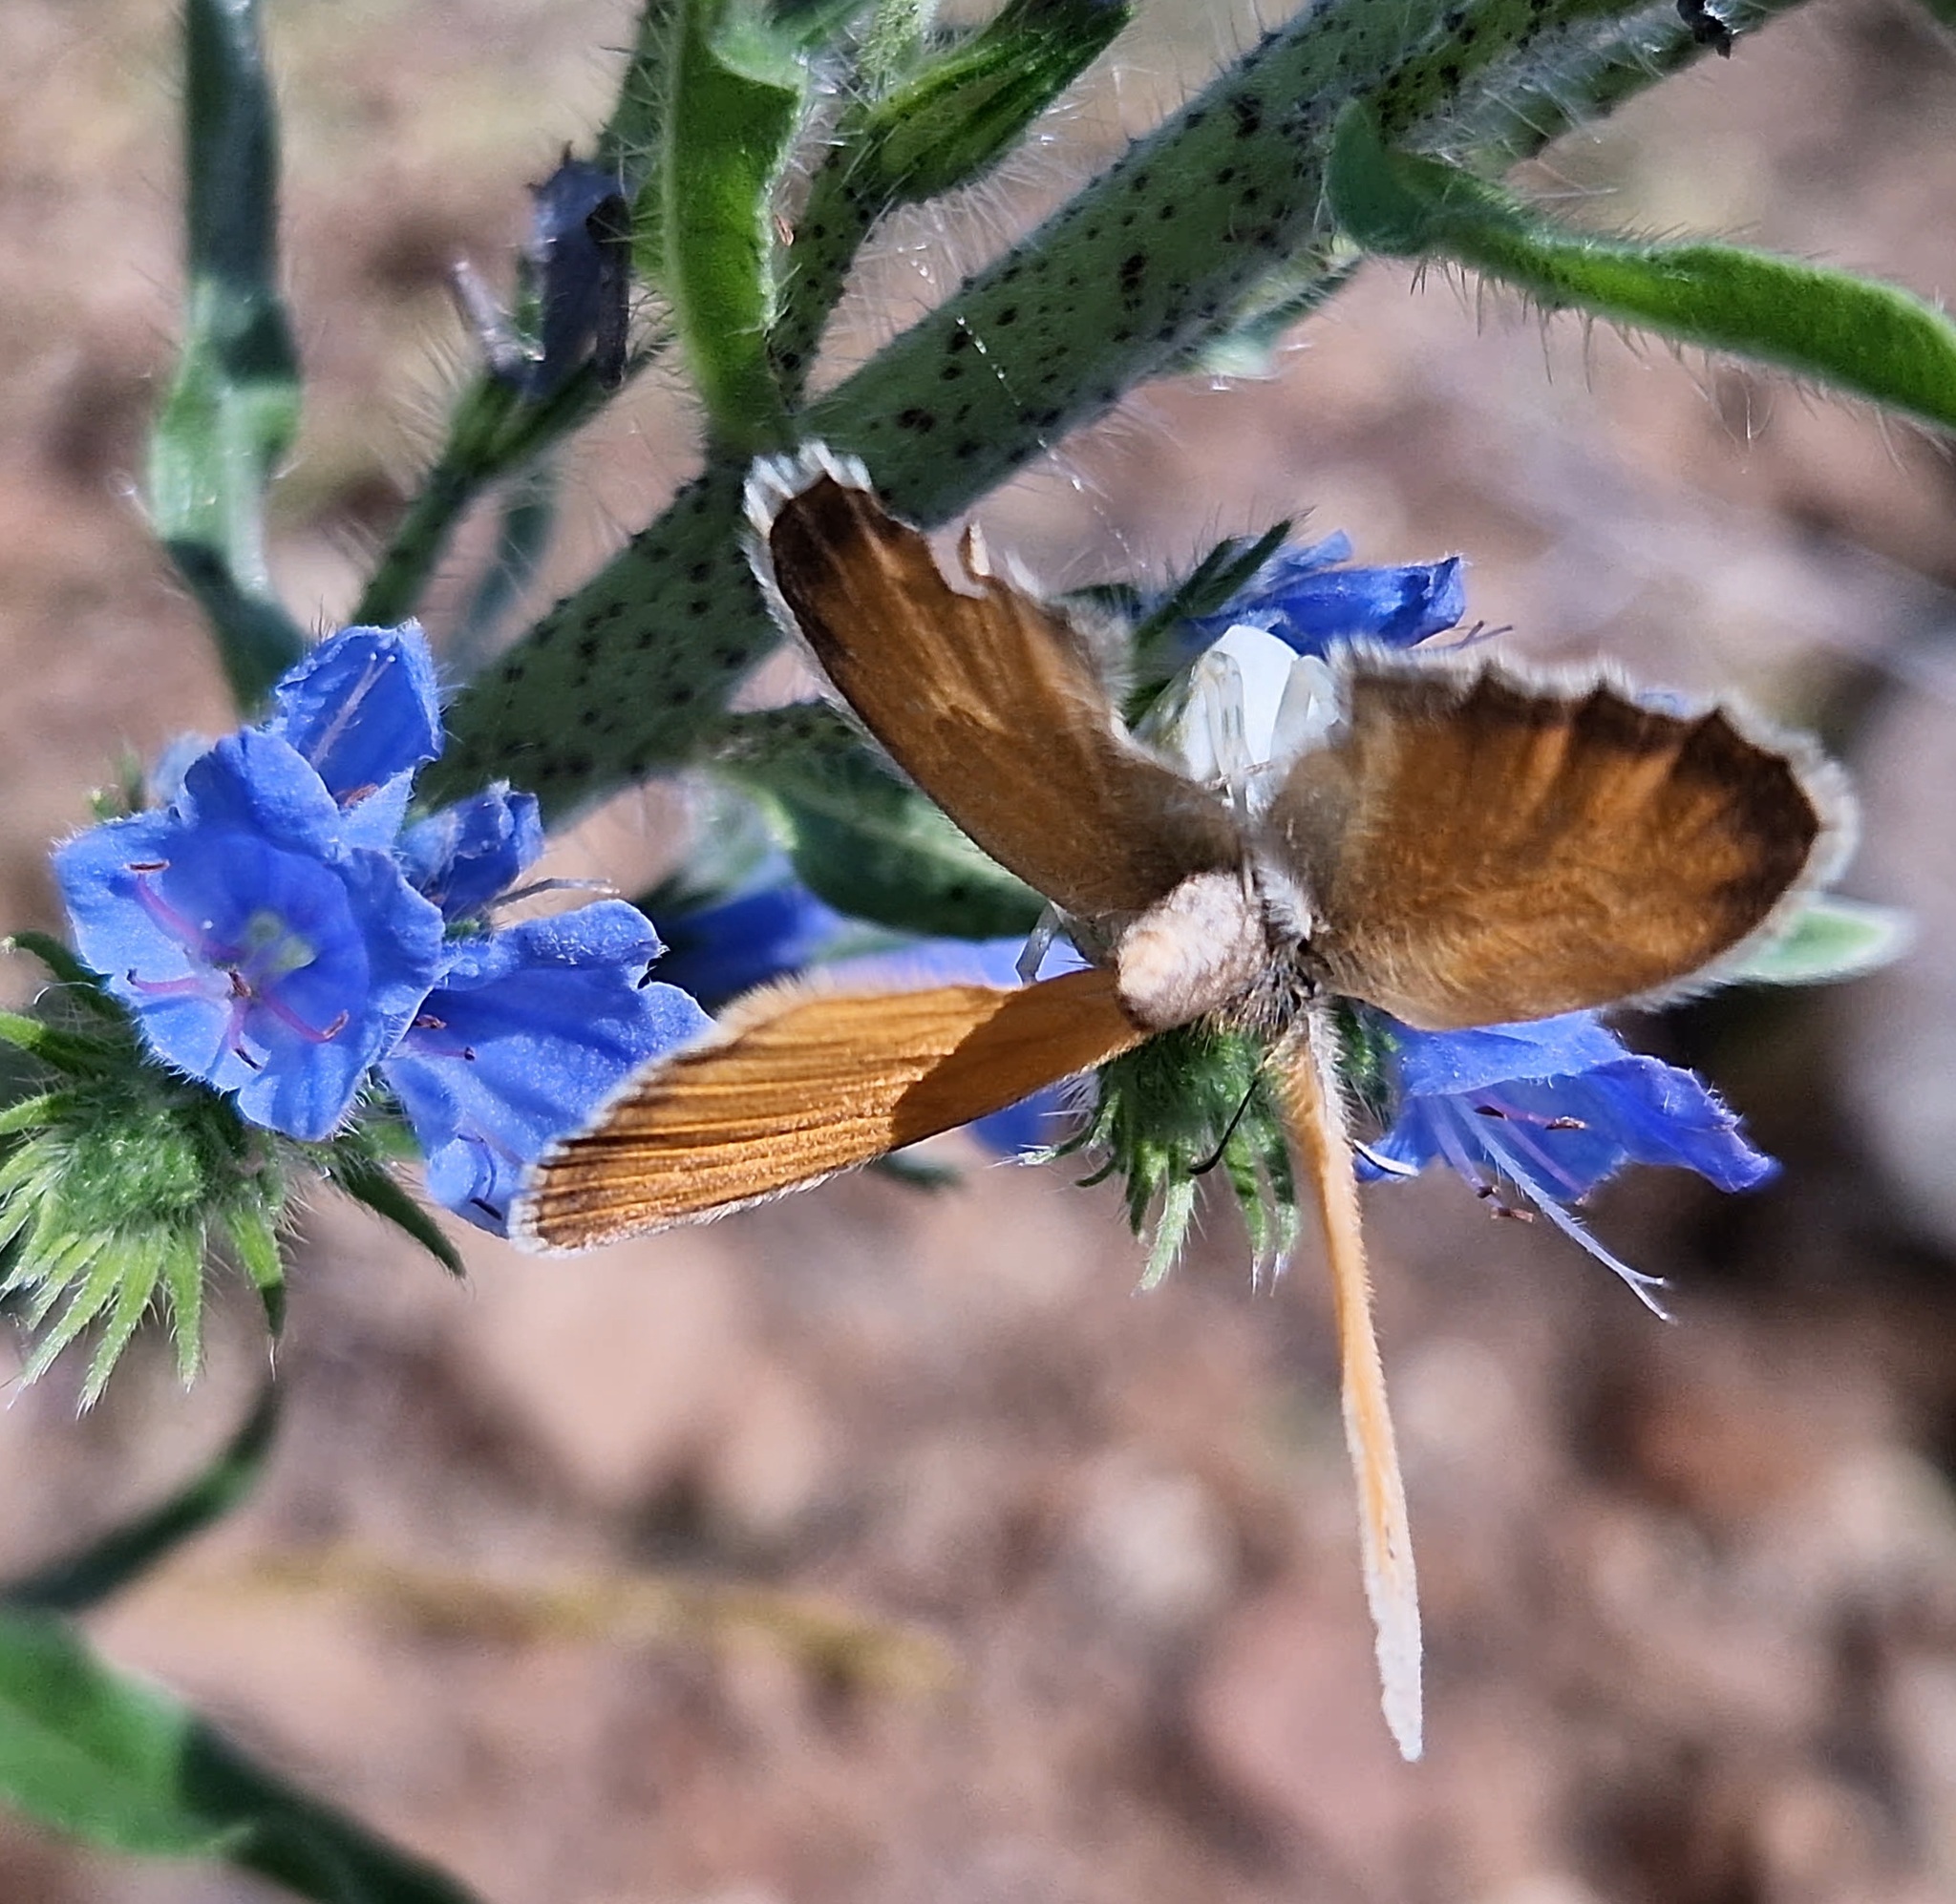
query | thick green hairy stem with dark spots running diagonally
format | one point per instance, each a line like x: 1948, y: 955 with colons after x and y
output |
x: 1153, y: 259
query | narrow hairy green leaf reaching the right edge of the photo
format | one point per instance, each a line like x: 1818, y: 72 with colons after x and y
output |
x: 1859, y: 335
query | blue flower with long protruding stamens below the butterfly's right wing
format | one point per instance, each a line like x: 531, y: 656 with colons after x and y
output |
x: 1554, y: 1107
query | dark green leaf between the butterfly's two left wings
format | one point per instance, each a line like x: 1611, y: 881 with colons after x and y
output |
x: 864, y: 840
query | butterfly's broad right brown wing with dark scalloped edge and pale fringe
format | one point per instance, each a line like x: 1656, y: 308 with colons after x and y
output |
x: 1478, y: 851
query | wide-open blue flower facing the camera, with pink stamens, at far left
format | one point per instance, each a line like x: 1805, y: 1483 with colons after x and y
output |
x: 259, y: 949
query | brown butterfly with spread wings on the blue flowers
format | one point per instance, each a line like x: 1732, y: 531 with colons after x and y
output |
x: 1458, y: 845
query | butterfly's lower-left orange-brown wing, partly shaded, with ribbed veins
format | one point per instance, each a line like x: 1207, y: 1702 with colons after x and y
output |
x: 803, y: 1082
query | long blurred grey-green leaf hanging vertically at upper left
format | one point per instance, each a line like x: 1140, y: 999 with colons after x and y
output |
x: 234, y: 406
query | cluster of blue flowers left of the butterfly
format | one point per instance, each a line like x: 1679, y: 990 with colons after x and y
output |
x: 283, y: 931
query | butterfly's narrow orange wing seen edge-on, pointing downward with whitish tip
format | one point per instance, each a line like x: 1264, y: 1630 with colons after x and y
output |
x: 1313, y: 1105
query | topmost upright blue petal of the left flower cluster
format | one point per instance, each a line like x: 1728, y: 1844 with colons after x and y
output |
x: 363, y: 709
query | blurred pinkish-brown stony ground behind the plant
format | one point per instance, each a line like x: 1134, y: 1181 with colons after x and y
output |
x: 887, y: 1547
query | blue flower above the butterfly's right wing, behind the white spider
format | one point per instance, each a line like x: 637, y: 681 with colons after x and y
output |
x: 1310, y: 603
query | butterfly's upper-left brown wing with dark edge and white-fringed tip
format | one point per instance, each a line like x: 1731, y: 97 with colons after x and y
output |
x: 981, y: 697
